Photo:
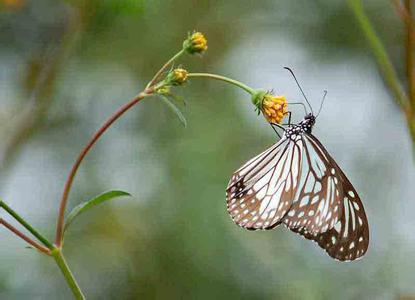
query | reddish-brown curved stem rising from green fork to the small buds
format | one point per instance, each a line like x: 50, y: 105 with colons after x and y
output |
x: 68, y: 184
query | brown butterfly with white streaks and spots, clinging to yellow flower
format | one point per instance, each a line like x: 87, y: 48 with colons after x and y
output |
x: 297, y: 183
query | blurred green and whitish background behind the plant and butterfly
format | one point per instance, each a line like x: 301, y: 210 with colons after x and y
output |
x: 66, y: 65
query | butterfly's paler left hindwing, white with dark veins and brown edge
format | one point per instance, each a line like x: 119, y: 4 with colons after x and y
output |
x: 260, y: 193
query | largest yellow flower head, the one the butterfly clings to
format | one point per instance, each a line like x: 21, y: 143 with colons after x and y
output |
x: 274, y: 108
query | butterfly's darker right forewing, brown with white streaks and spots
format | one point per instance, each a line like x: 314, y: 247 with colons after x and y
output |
x: 345, y: 233
